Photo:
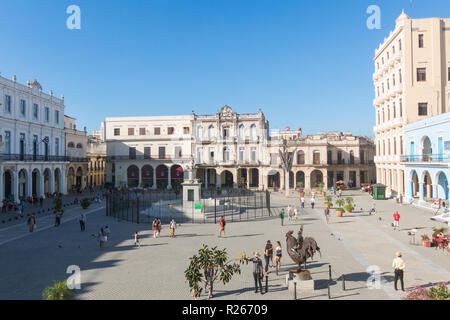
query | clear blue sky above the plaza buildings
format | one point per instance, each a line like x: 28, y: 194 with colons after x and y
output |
x: 306, y: 64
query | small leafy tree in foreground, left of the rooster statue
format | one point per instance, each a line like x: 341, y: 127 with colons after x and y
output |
x: 214, y: 263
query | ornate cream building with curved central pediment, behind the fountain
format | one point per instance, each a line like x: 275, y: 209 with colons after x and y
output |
x: 229, y: 148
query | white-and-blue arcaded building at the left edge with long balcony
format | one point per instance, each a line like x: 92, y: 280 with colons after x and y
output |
x: 32, y: 161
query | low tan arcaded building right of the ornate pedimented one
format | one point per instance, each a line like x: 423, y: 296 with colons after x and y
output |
x: 325, y: 157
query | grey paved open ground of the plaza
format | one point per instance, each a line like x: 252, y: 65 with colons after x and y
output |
x: 31, y: 261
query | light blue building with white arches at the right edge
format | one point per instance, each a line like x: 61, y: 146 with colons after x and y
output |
x: 427, y: 159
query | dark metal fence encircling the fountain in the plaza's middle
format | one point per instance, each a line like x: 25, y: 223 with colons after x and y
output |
x: 144, y: 206
